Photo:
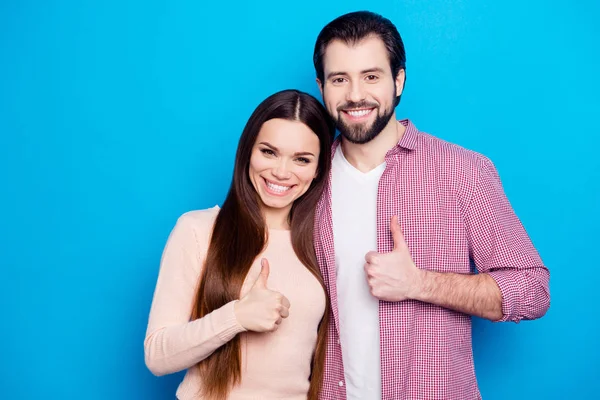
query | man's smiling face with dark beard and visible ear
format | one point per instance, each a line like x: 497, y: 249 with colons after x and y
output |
x: 359, y: 90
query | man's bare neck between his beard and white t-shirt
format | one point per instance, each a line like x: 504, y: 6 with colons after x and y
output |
x: 368, y: 156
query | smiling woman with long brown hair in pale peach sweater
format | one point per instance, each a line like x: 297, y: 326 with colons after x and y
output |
x: 239, y: 300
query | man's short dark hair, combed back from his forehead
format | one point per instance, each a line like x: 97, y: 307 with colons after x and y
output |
x: 352, y: 28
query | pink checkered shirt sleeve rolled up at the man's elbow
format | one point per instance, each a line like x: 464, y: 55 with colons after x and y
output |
x: 500, y: 247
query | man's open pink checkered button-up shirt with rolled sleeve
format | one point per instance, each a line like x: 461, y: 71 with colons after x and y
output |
x: 452, y: 210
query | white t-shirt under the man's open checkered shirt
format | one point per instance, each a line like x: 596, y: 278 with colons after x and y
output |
x: 354, y: 212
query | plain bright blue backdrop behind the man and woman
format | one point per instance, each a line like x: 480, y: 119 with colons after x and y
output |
x: 116, y: 117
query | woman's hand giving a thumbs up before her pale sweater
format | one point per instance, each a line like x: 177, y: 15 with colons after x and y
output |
x: 261, y: 309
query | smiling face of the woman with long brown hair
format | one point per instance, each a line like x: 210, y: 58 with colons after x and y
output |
x: 283, y: 163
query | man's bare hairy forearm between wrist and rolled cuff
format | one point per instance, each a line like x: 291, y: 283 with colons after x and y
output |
x: 477, y: 295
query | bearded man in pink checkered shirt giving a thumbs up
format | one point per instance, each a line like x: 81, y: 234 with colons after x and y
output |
x: 403, y: 220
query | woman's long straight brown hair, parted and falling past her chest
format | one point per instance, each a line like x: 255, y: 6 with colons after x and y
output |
x: 240, y: 234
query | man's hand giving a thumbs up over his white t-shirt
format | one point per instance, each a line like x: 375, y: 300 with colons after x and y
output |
x: 393, y: 276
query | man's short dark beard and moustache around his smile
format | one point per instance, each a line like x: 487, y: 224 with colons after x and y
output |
x: 363, y: 133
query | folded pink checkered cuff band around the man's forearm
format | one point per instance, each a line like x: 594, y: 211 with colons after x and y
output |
x: 511, y: 285
